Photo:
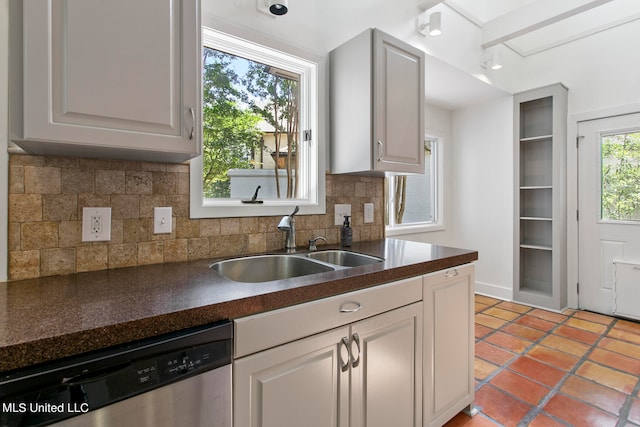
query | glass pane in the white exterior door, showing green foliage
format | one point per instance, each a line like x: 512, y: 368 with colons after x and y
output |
x: 620, y: 179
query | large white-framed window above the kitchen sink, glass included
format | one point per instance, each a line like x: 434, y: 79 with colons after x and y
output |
x: 260, y: 150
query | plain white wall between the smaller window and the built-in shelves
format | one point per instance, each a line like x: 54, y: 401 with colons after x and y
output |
x: 478, y: 190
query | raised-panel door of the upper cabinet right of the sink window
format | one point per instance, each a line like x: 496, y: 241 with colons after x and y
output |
x: 398, y: 105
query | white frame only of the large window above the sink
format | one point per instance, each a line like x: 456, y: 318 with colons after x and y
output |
x: 312, y: 70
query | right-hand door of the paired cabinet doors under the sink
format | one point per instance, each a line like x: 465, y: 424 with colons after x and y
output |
x: 386, y: 387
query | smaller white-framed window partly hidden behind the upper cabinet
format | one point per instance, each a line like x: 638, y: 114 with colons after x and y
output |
x: 413, y: 202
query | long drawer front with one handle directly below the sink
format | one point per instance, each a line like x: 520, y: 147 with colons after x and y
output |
x: 265, y: 330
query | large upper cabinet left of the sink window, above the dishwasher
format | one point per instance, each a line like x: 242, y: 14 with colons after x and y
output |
x: 116, y: 79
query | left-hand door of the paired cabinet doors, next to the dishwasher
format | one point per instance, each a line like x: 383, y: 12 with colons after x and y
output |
x: 297, y: 384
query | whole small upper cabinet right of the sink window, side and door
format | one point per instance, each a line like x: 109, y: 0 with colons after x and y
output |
x: 377, y: 106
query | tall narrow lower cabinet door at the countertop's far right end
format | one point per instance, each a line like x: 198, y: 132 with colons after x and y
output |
x: 449, y: 343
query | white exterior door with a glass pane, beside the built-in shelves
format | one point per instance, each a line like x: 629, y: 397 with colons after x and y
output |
x: 609, y: 214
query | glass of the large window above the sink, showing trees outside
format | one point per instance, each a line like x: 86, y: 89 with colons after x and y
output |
x: 250, y: 128
